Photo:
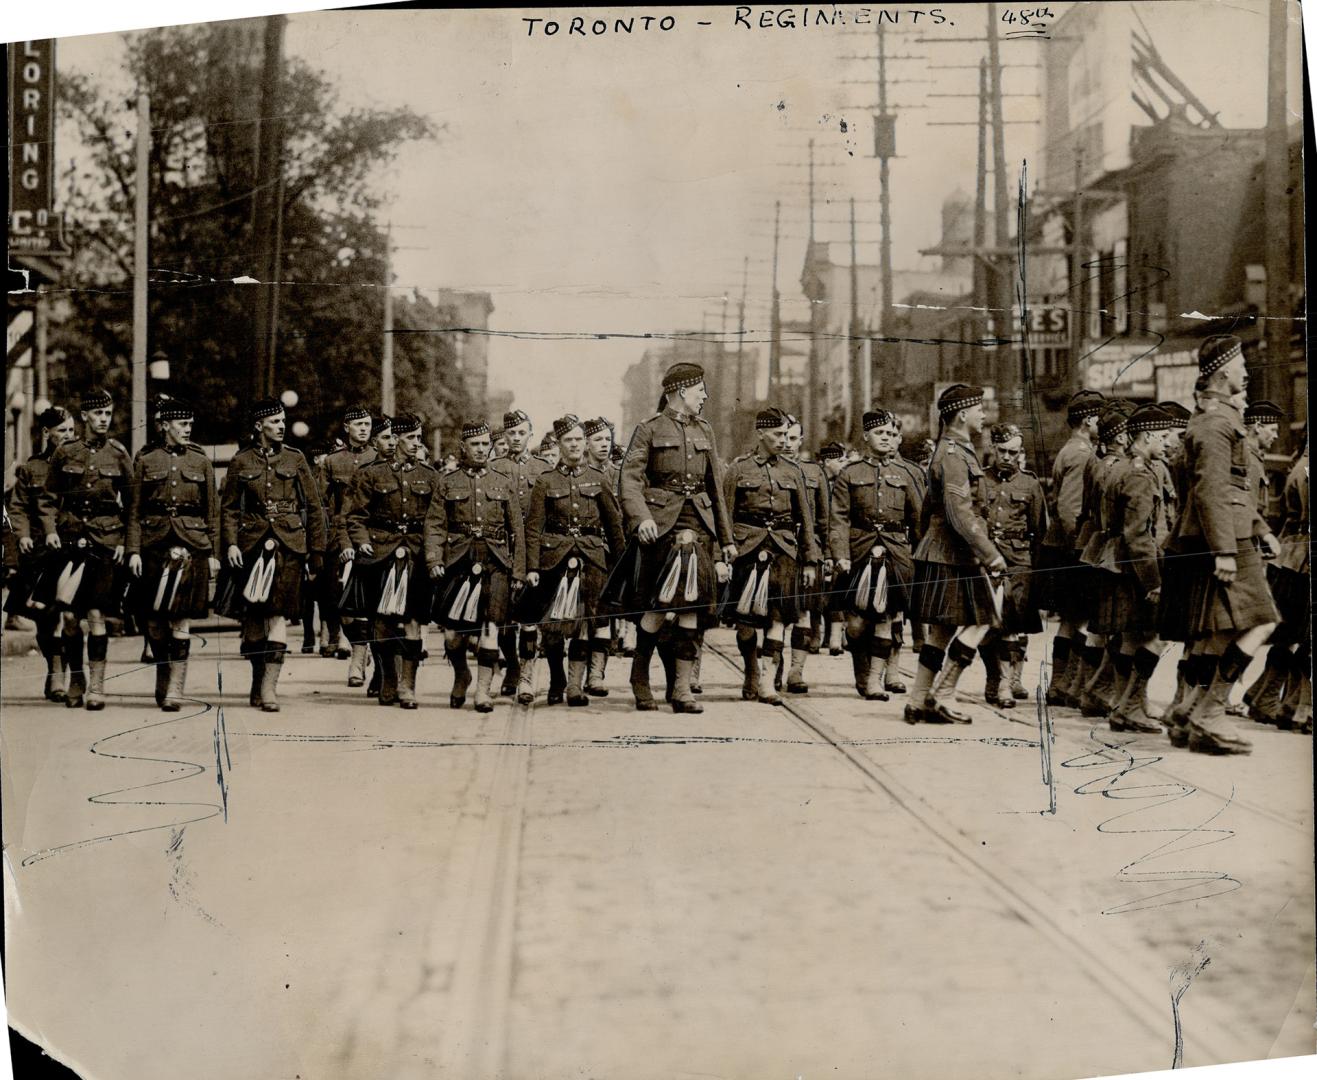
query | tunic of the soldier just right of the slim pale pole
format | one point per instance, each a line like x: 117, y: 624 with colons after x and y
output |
x: 175, y: 502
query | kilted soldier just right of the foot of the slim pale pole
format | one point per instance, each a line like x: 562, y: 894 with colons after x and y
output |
x: 173, y: 547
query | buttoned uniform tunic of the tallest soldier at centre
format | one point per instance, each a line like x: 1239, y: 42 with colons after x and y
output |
x: 672, y: 462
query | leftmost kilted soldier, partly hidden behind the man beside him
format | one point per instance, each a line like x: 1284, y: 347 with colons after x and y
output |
x: 34, y: 562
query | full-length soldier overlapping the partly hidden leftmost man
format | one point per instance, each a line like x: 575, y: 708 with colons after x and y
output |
x: 84, y: 514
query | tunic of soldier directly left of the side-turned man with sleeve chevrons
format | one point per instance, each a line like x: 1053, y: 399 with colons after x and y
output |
x: 874, y: 502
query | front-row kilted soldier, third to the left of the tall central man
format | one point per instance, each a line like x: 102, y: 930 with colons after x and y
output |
x: 384, y: 518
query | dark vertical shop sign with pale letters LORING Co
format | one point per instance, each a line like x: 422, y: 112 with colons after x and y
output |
x: 35, y: 229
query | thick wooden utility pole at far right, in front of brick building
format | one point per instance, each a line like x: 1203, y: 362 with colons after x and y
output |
x: 1277, y: 383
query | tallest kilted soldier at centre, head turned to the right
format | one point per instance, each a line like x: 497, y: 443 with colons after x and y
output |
x: 672, y: 502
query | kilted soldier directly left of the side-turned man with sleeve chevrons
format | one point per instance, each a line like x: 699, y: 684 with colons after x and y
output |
x: 876, y: 509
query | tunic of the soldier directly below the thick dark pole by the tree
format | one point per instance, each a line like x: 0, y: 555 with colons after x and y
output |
x: 272, y: 493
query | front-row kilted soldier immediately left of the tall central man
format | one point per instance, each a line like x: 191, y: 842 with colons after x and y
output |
x: 574, y: 535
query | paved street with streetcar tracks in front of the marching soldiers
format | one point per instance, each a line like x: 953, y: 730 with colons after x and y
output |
x: 343, y: 891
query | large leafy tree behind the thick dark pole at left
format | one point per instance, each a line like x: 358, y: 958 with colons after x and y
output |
x: 205, y: 126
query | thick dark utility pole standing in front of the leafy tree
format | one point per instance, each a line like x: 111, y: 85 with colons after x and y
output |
x: 265, y: 209
